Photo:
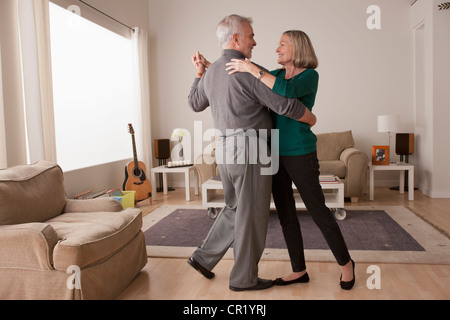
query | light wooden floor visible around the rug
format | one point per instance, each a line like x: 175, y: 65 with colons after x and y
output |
x: 174, y: 279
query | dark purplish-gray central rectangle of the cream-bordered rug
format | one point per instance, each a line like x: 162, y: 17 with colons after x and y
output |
x: 362, y: 230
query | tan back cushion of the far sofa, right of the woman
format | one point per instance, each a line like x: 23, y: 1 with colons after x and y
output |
x: 331, y: 145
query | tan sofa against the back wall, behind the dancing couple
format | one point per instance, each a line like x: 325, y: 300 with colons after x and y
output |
x: 336, y: 153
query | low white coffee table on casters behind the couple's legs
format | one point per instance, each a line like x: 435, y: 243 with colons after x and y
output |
x: 213, y: 198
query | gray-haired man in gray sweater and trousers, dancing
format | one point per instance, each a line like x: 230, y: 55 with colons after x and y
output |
x: 239, y: 105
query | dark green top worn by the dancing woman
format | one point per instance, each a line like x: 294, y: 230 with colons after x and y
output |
x: 296, y: 138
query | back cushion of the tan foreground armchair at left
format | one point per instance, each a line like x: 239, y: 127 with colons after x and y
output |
x: 32, y: 193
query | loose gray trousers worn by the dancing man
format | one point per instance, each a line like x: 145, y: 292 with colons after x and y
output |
x: 245, y: 217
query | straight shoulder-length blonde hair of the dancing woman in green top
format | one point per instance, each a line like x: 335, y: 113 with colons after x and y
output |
x: 304, y: 55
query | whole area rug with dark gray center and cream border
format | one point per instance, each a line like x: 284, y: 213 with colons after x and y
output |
x: 373, y: 235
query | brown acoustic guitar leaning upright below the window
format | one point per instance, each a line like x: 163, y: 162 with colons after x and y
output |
x: 136, y: 176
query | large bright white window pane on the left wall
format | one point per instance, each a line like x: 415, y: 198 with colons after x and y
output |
x: 93, y: 91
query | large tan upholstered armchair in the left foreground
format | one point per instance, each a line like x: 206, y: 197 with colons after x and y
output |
x: 53, y: 248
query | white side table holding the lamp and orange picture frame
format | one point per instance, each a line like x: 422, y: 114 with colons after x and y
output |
x: 402, y: 167
